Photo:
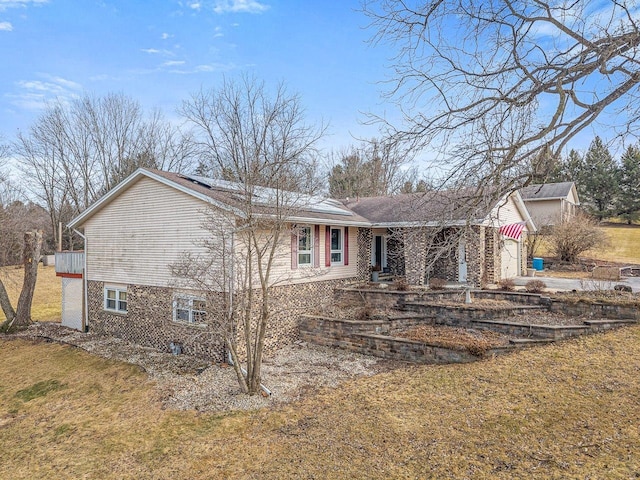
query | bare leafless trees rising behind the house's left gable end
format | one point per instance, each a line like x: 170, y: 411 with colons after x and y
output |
x: 73, y: 154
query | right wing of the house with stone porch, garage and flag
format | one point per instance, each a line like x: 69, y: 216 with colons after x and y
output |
x: 449, y: 235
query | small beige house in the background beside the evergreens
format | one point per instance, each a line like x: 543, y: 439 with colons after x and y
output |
x: 551, y: 203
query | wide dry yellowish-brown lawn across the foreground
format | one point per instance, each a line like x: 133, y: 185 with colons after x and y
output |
x: 569, y: 410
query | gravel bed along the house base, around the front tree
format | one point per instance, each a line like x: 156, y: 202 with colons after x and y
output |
x: 185, y: 382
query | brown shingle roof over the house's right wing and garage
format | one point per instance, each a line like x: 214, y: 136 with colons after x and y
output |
x: 434, y: 208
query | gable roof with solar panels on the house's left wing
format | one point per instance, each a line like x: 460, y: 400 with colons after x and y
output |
x: 228, y: 197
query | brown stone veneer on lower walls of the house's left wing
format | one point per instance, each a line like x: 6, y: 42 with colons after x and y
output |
x: 149, y: 319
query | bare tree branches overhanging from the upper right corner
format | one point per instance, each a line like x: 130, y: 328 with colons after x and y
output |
x: 493, y: 85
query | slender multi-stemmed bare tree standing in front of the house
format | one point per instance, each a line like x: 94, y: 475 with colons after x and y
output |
x: 262, y: 144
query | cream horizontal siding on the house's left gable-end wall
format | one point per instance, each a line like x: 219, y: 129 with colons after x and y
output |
x: 135, y: 238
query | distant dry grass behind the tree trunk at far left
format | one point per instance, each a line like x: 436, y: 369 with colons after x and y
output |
x: 46, y: 306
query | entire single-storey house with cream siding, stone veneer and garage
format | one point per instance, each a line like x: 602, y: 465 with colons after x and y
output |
x: 146, y: 224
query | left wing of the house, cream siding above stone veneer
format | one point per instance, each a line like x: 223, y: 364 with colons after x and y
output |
x: 147, y: 222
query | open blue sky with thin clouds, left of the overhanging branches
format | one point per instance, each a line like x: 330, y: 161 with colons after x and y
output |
x: 159, y: 52
